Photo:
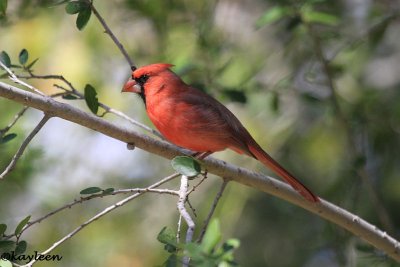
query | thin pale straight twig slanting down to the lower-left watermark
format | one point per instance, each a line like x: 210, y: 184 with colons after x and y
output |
x: 101, y: 214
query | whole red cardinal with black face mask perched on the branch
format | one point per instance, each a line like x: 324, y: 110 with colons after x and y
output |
x: 191, y: 119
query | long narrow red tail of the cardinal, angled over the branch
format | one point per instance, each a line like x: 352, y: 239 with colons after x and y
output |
x: 268, y: 161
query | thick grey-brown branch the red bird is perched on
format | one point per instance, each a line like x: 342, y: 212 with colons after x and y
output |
x: 324, y: 209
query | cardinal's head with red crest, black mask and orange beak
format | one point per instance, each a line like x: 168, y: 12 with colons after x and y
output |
x: 143, y: 75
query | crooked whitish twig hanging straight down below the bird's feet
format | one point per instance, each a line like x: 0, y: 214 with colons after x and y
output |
x: 185, y: 214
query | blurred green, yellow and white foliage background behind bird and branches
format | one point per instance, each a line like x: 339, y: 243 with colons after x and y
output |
x: 274, y: 64
